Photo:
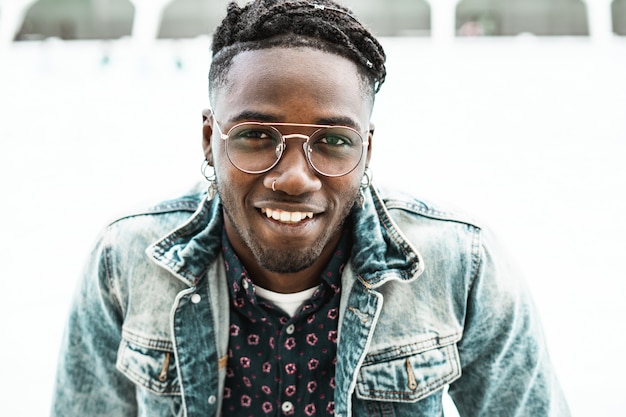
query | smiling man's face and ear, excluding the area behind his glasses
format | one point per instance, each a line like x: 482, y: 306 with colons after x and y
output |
x: 304, y: 86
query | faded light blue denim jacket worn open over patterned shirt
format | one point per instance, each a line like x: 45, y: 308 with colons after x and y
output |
x: 427, y: 303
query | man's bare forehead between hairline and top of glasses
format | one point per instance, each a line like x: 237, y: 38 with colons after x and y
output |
x: 294, y: 85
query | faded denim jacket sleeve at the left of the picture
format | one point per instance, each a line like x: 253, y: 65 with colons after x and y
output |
x: 87, y: 382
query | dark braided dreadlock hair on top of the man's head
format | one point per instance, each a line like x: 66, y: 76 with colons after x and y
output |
x: 320, y: 24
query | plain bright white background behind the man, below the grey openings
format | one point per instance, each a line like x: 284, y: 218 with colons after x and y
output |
x: 526, y: 133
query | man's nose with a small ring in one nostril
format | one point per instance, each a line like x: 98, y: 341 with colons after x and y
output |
x: 293, y: 174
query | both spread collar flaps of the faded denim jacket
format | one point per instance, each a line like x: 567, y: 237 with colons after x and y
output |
x: 380, y: 252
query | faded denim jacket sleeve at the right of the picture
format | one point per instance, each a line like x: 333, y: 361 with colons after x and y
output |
x: 506, y: 370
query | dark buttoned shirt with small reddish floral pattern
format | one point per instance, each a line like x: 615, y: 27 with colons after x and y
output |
x: 280, y: 365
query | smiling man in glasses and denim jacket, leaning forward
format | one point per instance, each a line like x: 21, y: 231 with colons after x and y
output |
x: 293, y: 286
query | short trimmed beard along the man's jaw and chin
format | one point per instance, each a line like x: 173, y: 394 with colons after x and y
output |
x: 288, y: 259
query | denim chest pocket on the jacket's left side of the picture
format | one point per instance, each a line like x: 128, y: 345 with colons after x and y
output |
x: 149, y: 363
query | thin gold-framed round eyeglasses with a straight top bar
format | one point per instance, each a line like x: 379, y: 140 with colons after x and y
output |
x: 256, y: 147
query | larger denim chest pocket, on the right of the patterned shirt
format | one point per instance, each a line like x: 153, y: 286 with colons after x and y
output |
x: 408, y: 374
